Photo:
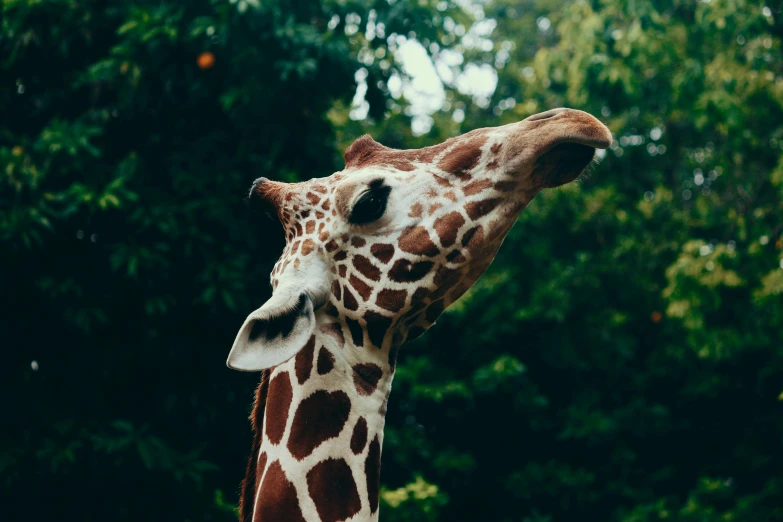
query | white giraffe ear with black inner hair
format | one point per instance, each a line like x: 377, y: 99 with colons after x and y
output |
x: 273, y: 334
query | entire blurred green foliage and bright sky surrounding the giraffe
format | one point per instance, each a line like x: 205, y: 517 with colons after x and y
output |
x: 620, y: 360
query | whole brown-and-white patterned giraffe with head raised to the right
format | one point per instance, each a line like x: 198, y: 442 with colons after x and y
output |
x: 374, y: 254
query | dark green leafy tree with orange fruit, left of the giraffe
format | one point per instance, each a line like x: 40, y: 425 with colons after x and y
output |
x: 130, y: 133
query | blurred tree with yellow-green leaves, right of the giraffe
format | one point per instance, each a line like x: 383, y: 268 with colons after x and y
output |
x: 620, y: 359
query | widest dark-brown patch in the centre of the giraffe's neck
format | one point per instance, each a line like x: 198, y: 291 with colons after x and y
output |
x: 328, y: 411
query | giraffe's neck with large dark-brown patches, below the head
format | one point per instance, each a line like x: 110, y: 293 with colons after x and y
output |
x: 320, y: 435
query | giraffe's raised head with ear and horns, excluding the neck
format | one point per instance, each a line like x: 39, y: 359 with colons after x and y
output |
x: 382, y: 247
